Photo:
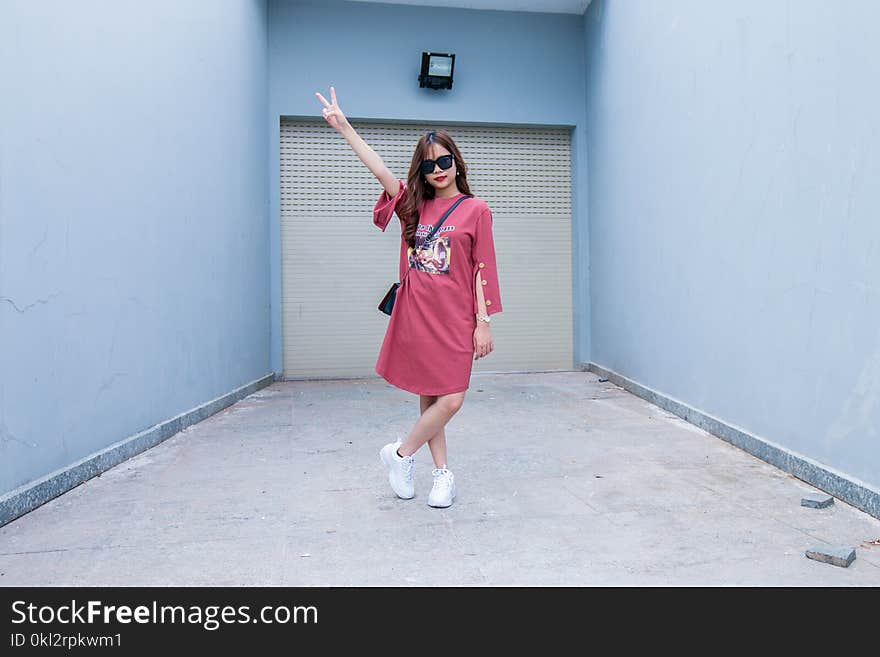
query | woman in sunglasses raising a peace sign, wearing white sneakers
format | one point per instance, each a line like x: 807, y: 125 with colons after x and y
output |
x: 440, y: 321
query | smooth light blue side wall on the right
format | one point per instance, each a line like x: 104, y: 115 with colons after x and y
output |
x: 735, y: 156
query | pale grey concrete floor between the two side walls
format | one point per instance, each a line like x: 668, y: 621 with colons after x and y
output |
x: 562, y: 480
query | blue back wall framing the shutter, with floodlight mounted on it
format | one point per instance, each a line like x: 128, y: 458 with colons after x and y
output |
x: 510, y: 68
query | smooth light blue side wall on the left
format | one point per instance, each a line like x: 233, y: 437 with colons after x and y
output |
x: 133, y: 219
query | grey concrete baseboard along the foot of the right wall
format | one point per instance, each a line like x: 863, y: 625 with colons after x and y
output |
x: 838, y: 484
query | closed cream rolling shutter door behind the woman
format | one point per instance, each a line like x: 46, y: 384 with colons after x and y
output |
x: 336, y: 265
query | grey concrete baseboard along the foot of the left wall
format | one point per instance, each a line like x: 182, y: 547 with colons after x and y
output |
x: 33, y: 494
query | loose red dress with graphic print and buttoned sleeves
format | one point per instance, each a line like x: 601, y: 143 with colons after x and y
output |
x: 429, y: 343
